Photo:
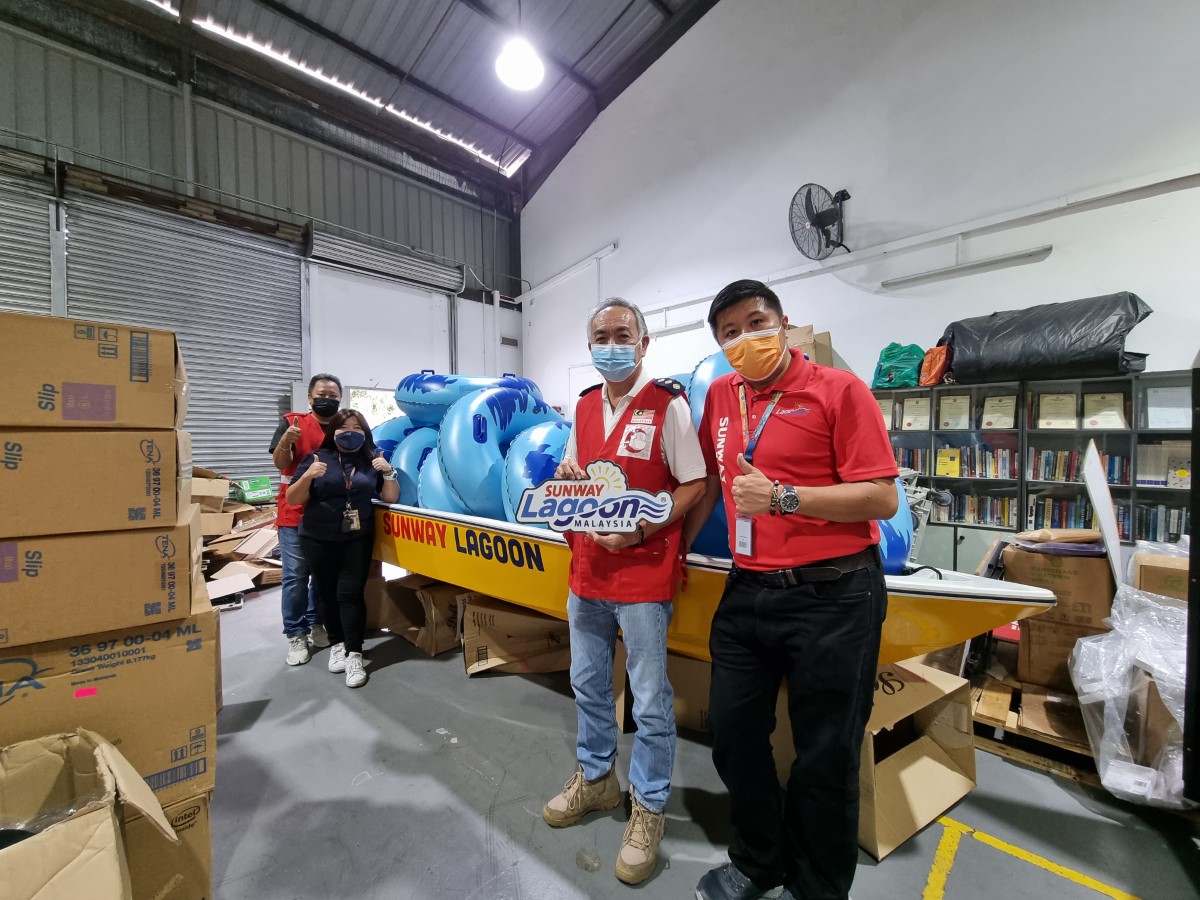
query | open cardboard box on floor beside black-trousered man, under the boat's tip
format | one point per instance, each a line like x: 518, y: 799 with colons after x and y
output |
x: 917, y: 759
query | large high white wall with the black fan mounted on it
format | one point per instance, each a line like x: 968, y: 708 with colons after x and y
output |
x: 933, y: 113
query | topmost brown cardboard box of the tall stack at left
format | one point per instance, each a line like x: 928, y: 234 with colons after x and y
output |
x: 71, y: 374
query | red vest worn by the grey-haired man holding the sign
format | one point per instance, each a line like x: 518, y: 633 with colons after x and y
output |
x: 650, y: 572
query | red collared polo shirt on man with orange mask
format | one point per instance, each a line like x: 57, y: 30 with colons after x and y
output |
x: 826, y: 430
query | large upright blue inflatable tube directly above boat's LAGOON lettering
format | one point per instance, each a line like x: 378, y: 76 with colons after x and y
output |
x: 476, y: 435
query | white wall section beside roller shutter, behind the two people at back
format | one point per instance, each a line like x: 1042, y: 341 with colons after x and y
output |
x: 371, y: 332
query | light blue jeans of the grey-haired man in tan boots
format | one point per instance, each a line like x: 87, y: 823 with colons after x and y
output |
x: 644, y: 627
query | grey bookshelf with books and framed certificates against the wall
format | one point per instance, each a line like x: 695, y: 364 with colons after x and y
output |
x: 1011, y: 455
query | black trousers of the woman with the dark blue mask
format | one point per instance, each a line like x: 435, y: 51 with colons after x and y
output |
x: 340, y: 573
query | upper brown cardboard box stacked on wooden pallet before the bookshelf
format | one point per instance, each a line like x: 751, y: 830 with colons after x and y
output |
x: 1082, y: 585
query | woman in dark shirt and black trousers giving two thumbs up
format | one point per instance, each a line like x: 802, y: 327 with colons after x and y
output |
x: 335, y: 487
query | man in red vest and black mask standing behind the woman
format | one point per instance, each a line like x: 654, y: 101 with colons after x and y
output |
x: 296, y: 440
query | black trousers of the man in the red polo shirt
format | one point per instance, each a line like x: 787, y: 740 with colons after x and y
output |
x: 823, y: 638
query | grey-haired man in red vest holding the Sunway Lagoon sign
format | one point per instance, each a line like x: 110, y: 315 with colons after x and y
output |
x: 627, y: 581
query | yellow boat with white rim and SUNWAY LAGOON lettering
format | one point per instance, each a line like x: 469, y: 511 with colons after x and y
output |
x: 928, y: 610
